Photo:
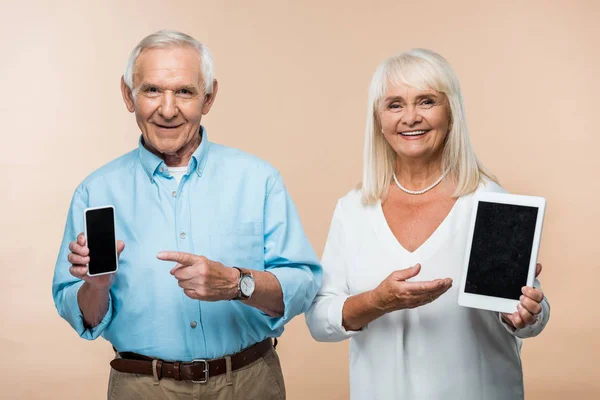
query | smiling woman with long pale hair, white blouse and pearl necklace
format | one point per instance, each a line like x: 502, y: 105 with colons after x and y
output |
x: 397, y: 244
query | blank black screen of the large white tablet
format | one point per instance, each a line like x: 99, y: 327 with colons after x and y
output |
x: 501, y: 250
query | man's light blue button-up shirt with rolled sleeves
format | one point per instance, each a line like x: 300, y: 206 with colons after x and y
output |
x: 230, y: 207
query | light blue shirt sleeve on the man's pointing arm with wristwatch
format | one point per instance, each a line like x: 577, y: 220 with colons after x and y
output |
x: 288, y: 254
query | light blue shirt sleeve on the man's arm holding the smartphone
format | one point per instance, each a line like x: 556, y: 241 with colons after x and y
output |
x: 64, y: 285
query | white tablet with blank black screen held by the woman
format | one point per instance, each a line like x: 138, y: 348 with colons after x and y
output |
x: 502, y: 249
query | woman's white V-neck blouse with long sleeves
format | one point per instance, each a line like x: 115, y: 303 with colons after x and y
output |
x: 437, y: 351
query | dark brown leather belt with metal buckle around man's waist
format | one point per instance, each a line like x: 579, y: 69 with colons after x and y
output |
x: 196, y: 371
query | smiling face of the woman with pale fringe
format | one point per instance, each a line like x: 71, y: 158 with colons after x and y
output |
x: 414, y: 122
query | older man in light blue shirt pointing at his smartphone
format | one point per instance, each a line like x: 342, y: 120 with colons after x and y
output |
x: 194, y: 220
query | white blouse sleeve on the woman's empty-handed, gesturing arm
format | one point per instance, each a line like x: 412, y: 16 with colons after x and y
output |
x: 324, y: 318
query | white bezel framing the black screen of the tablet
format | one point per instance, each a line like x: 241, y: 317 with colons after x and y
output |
x: 497, y: 303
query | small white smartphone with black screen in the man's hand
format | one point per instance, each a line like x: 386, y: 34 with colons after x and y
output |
x: 101, y: 240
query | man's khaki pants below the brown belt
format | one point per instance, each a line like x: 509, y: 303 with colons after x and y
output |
x: 261, y: 380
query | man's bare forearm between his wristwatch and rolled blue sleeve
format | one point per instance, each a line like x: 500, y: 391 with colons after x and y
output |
x: 268, y: 296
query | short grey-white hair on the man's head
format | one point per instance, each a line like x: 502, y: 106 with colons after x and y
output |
x: 167, y: 38
